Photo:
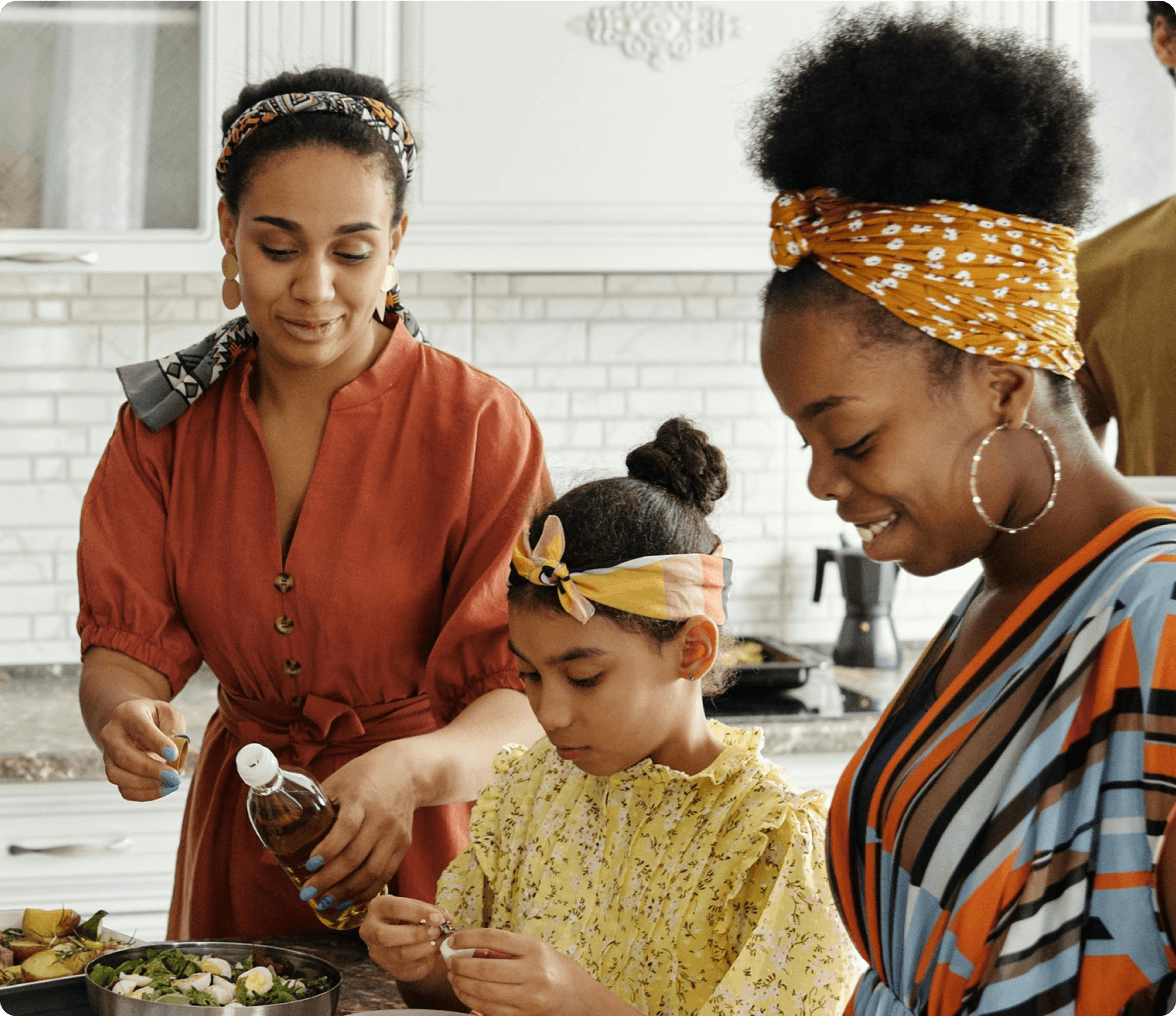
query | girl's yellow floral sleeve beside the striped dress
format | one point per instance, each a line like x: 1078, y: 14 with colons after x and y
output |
x: 789, y: 951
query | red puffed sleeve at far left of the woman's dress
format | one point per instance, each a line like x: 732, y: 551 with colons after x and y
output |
x: 128, y: 597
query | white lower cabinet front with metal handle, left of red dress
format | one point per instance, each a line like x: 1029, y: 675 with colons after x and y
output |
x: 135, y: 885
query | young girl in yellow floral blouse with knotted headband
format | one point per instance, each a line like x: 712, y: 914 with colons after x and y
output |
x: 639, y: 859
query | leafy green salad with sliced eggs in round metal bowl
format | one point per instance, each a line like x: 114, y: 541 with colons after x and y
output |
x: 184, y: 979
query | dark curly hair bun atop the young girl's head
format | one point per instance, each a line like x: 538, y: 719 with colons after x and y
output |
x: 684, y: 463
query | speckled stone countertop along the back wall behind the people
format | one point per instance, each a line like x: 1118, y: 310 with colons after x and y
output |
x: 43, y: 736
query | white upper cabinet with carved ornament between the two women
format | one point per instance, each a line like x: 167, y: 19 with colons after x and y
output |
x: 571, y: 136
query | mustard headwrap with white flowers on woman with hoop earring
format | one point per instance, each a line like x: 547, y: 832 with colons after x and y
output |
x: 1004, y: 286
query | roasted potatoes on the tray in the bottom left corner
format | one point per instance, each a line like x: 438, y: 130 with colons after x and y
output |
x: 52, y: 944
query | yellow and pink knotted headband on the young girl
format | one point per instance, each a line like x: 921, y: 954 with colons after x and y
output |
x: 674, y: 587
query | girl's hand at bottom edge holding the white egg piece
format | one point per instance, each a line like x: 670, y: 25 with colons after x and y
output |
x: 534, y: 980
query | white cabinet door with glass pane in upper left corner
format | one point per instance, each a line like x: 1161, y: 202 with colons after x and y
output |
x: 110, y: 131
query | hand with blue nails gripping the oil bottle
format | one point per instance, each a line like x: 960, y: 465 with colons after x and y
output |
x: 372, y: 833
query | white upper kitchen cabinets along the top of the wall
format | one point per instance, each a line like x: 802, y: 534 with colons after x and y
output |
x: 563, y: 136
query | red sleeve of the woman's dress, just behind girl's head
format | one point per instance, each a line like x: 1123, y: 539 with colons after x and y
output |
x: 507, y: 482
